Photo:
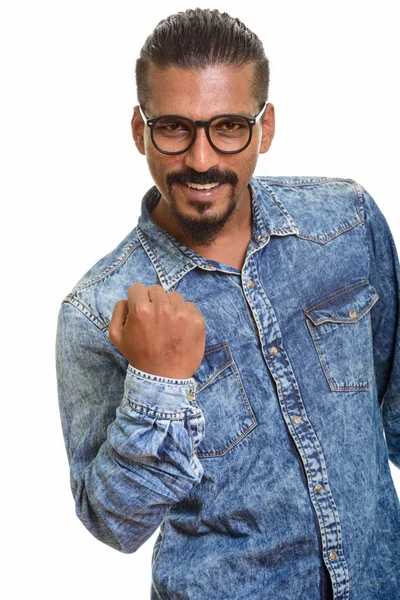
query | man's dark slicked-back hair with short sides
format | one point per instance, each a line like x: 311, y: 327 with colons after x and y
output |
x: 198, y: 38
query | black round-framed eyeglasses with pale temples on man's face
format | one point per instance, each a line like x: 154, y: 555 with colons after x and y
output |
x: 227, y: 133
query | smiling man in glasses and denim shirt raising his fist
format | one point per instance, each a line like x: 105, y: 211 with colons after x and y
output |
x: 229, y: 371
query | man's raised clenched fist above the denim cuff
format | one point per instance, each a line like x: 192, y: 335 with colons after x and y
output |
x: 159, y: 333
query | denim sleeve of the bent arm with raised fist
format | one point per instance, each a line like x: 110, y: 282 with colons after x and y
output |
x: 130, y: 436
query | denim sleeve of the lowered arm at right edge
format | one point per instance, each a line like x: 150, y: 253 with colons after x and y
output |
x: 385, y: 276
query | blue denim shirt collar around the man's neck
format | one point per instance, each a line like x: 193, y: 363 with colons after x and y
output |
x: 172, y: 259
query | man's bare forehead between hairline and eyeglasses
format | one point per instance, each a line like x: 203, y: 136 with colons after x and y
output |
x: 202, y: 93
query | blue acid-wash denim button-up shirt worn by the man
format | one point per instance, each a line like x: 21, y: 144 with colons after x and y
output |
x: 269, y: 467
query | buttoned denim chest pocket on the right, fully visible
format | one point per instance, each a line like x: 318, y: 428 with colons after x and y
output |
x: 341, y: 331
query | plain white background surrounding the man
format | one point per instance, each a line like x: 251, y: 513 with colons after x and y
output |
x: 72, y: 184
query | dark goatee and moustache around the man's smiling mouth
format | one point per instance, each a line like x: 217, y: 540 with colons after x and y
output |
x: 204, y: 230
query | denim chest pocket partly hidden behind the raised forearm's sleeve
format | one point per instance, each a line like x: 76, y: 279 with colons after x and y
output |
x: 228, y: 414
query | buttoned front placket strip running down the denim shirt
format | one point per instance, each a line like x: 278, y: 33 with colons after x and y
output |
x: 301, y: 430
